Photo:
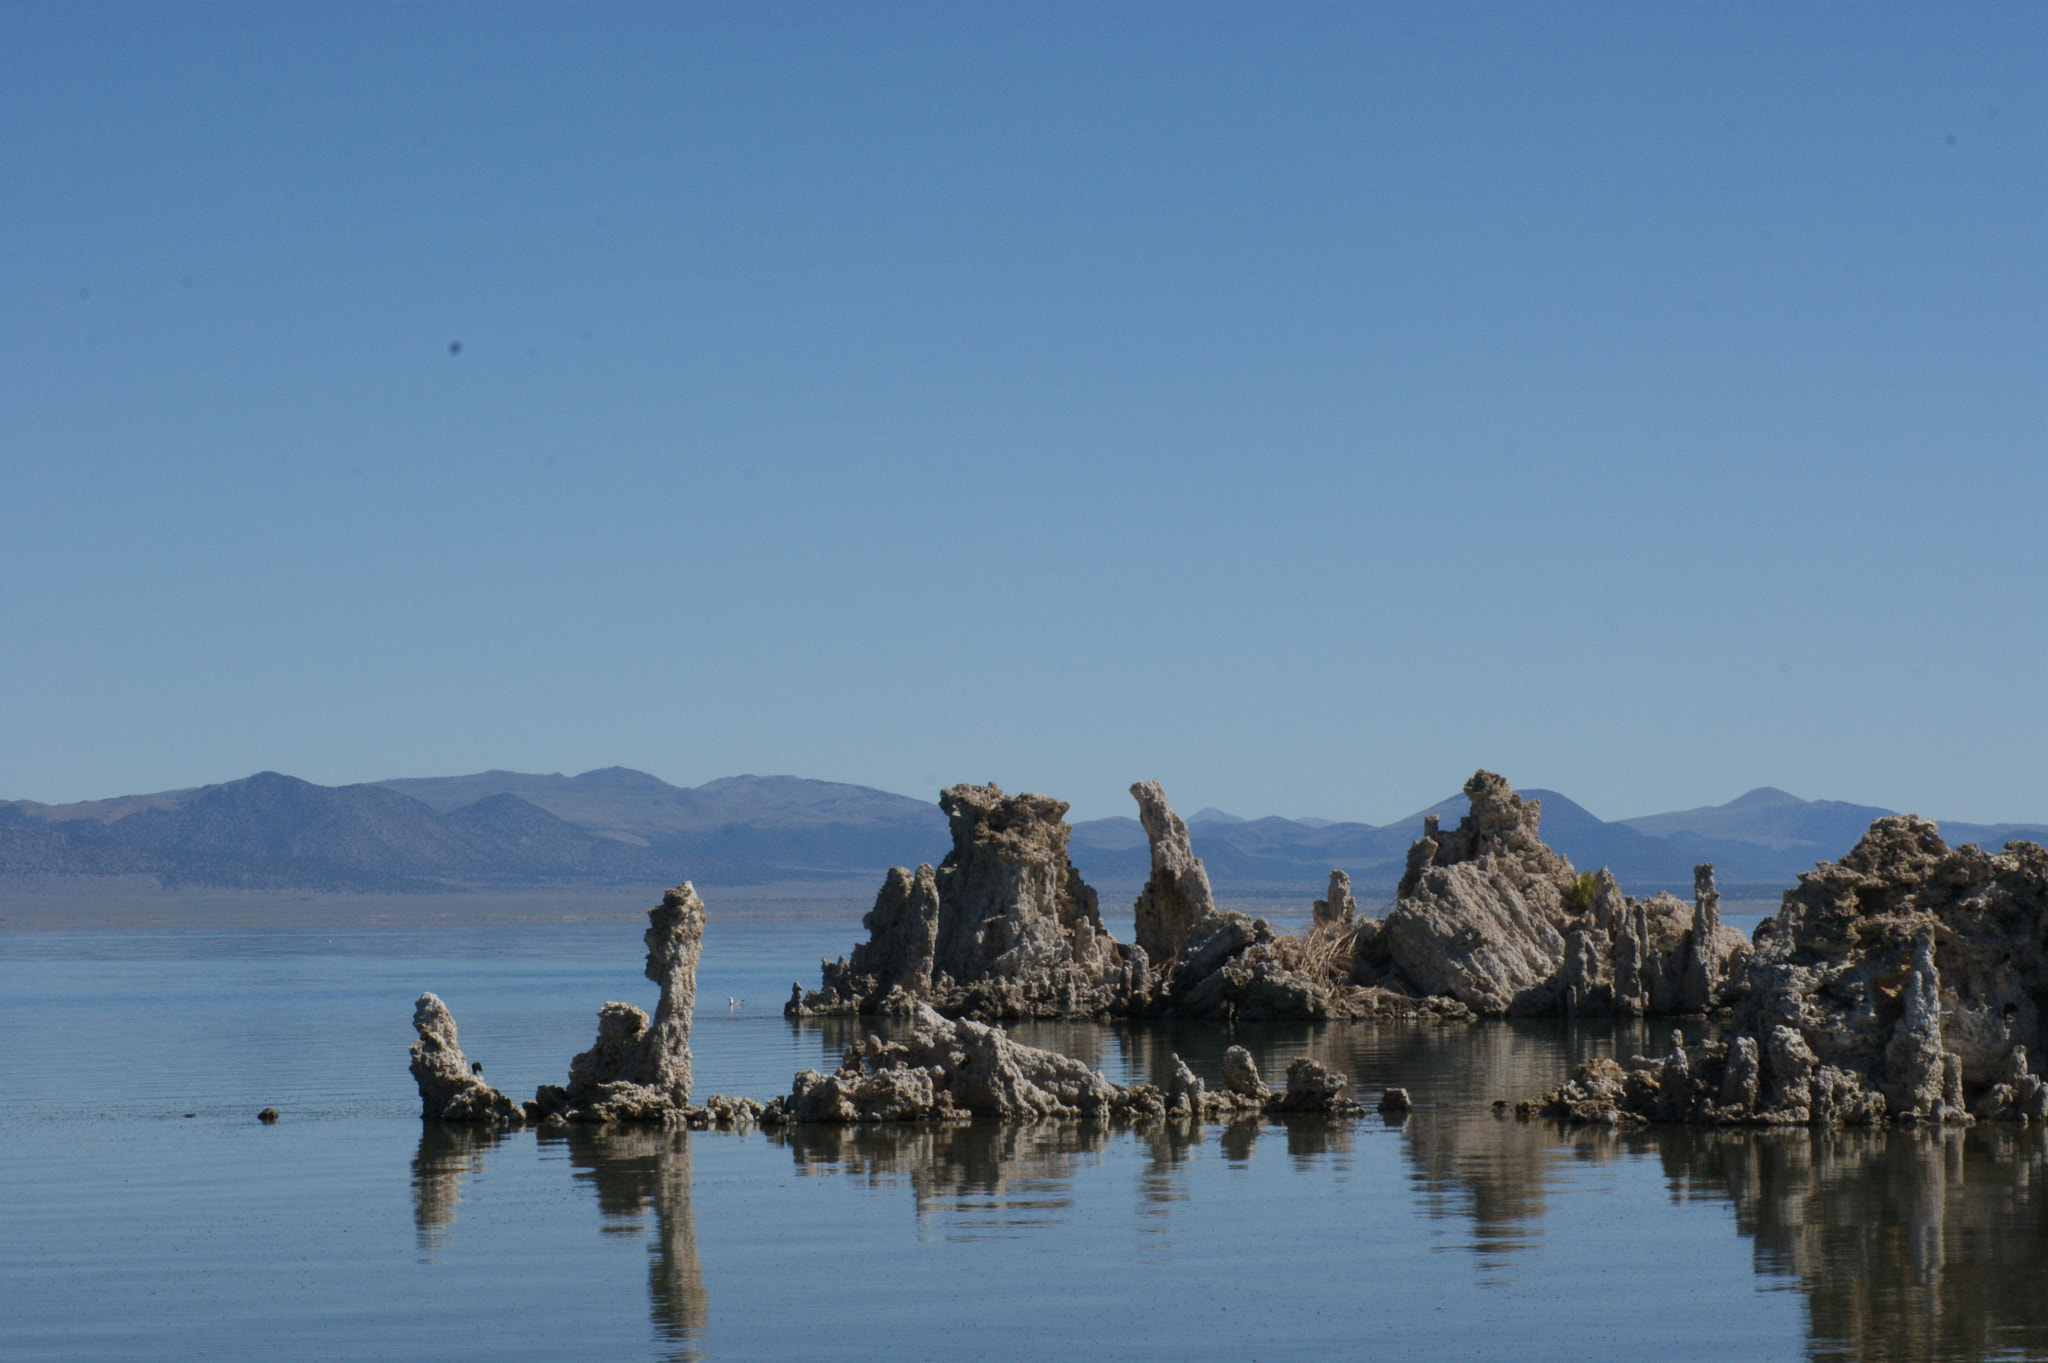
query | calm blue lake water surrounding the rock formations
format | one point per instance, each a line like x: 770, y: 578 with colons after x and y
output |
x: 148, y: 1215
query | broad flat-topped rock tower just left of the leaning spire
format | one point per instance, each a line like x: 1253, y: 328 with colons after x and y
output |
x: 1015, y: 930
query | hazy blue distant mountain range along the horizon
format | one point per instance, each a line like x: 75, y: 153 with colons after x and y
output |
x: 617, y: 826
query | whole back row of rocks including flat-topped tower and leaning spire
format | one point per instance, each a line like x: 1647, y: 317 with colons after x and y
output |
x: 1490, y: 920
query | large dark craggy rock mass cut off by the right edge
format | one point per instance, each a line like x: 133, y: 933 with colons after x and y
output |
x: 1895, y: 983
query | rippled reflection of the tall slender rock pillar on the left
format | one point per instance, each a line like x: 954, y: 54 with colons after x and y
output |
x: 634, y: 1172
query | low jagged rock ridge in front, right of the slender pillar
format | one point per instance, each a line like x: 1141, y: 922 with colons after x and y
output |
x: 957, y: 1069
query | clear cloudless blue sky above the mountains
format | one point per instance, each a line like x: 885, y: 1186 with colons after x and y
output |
x: 1295, y: 404
